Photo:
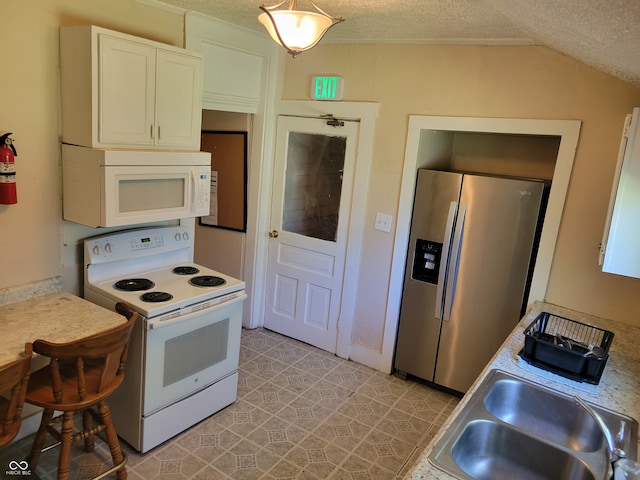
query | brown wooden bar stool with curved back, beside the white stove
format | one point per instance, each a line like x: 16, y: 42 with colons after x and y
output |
x: 80, y: 375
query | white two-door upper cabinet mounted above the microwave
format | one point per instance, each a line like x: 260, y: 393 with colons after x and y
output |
x: 124, y: 91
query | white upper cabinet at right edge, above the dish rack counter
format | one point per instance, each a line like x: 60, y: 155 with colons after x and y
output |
x: 619, y: 251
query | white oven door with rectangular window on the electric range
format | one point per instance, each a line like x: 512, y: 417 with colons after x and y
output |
x: 191, y: 353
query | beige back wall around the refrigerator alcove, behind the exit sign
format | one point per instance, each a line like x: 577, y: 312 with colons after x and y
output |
x: 474, y: 81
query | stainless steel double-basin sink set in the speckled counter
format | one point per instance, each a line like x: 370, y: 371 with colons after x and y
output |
x: 513, y: 428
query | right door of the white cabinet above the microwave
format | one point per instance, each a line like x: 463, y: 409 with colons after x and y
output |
x: 178, y: 100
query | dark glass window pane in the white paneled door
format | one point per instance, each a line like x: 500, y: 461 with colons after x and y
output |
x: 313, y: 184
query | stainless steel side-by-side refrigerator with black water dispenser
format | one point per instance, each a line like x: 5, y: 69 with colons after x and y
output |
x: 470, y: 251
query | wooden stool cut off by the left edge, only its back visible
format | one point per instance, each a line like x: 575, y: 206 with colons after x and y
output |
x: 13, y: 382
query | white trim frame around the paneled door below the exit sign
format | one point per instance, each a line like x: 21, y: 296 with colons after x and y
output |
x: 366, y: 113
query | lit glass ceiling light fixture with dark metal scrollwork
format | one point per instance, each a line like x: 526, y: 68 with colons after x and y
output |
x: 296, y: 30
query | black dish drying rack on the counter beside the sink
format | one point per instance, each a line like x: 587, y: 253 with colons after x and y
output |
x: 566, y: 347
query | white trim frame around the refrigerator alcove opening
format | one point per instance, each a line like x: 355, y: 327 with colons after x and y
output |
x: 567, y: 130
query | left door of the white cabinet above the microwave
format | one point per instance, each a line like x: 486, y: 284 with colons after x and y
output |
x: 126, y: 93
